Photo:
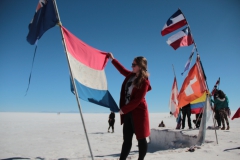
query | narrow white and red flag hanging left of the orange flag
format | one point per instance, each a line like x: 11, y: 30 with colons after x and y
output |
x: 173, y: 104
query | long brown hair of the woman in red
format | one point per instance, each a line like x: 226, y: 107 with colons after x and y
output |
x: 142, y: 63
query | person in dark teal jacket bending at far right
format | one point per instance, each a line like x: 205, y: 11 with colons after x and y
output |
x: 221, y: 104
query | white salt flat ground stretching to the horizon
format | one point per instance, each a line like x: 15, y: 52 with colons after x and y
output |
x: 60, y: 137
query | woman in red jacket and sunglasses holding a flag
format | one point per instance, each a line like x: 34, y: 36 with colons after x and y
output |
x: 133, y: 106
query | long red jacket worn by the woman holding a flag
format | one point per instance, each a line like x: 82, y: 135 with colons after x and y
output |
x: 137, y: 104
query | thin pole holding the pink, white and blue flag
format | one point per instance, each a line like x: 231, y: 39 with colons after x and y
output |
x: 72, y: 80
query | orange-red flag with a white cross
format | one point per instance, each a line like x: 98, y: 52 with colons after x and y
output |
x: 193, y: 86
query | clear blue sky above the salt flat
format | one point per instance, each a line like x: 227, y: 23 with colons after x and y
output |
x: 125, y: 28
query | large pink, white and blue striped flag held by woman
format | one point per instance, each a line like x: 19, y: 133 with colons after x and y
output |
x: 87, y: 66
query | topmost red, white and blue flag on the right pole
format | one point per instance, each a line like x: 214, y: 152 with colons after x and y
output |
x: 176, y: 21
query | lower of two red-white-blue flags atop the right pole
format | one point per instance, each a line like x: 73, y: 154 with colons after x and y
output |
x: 180, y: 39
